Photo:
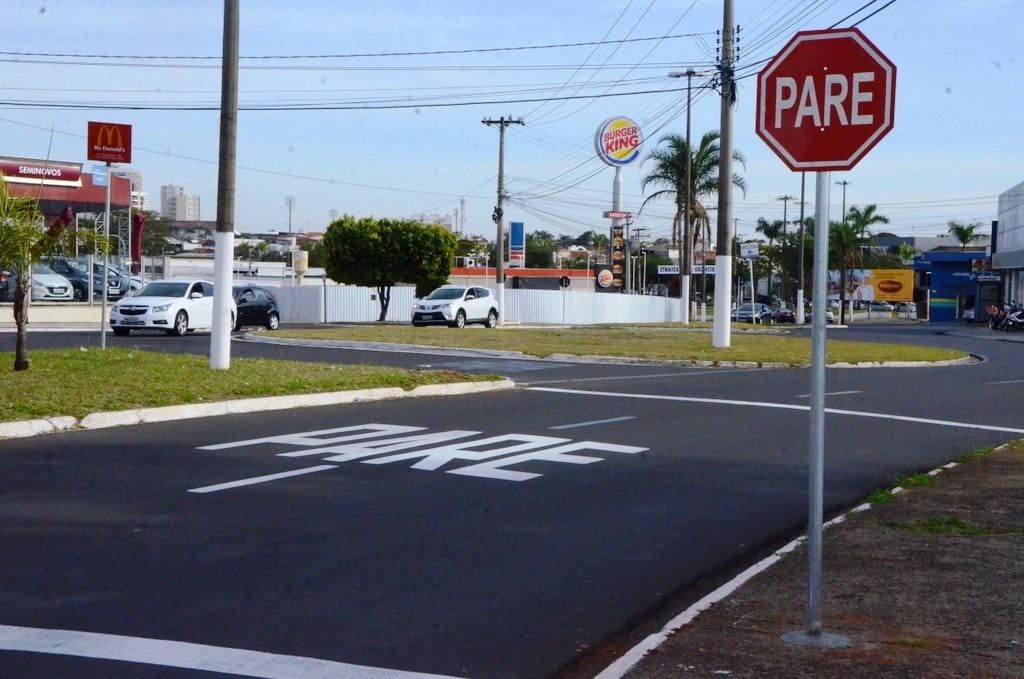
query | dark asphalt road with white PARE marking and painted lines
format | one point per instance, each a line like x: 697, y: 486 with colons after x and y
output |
x: 501, y: 535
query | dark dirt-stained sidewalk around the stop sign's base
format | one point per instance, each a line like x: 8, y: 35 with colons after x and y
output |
x: 928, y: 585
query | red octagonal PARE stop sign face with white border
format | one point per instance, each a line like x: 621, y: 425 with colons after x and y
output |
x: 826, y: 100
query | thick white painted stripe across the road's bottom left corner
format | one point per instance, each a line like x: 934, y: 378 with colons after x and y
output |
x: 190, y: 656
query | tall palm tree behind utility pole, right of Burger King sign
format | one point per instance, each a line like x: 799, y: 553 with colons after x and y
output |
x: 670, y: 175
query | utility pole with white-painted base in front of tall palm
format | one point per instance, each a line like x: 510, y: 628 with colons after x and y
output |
x: 723, y: 262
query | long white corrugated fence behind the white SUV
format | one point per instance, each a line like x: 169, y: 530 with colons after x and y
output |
x: 332, y: 304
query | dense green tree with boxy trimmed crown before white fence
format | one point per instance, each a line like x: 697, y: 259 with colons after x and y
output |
x: 382, y: 253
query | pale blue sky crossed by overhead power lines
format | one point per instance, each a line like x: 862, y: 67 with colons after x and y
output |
x: 376, y: 109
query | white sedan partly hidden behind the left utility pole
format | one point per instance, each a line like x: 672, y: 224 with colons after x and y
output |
x: 177, y: 307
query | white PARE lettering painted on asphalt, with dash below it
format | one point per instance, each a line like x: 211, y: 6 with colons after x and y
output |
x: 504, y: 457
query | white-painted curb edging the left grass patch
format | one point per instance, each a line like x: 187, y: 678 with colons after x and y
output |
x: 27, y: 429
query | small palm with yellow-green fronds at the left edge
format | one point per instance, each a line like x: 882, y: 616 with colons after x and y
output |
x: 23, y: 241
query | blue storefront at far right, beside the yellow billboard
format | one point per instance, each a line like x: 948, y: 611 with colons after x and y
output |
x: 957, y: 285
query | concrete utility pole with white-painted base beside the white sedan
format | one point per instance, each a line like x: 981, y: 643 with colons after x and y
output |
x: 221, y: 342
